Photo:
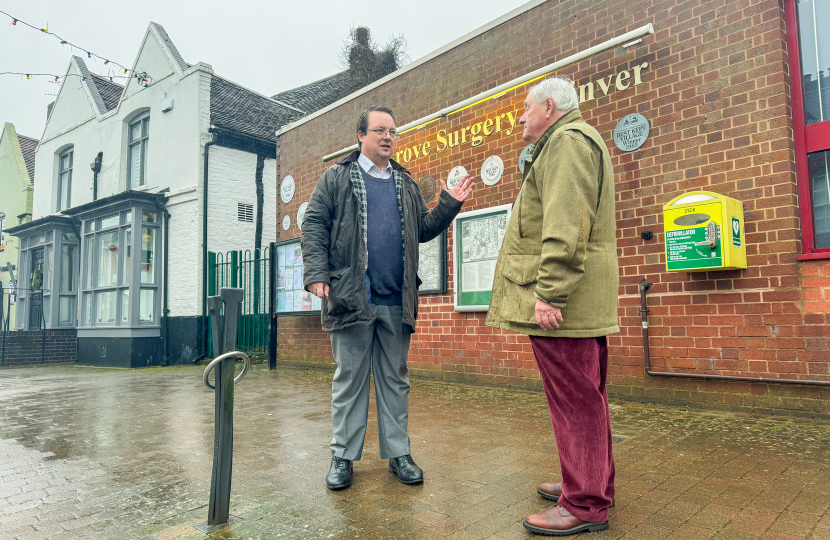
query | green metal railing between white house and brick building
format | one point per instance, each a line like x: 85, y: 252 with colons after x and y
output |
x: 250, y: 272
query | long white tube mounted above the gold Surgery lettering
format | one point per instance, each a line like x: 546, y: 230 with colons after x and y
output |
x: 565, y: 62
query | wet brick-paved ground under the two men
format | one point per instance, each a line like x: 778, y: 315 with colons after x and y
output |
x: 105, y: 454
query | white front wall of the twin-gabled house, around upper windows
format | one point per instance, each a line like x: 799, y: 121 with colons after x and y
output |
x: 175, y: 158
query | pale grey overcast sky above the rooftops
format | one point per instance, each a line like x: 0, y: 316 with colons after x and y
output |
x: 266, y: 46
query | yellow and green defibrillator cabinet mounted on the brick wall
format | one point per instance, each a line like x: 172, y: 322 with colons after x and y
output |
x: 704, y: 233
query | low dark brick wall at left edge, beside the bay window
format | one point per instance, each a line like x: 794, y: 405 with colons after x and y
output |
x: 35, y: 347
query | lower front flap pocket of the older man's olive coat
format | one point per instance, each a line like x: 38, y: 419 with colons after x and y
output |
x: 519, y: 298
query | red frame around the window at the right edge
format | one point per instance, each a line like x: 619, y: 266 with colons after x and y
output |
x: 812, y: 138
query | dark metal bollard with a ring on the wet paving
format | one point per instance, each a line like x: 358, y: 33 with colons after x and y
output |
x: 224, y: 340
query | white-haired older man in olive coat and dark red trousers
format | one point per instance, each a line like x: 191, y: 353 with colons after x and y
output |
x: 557, y: 281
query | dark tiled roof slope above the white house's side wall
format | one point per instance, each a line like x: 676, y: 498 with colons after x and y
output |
x: 236, y: 108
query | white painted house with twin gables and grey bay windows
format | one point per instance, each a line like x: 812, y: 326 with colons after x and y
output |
x: 134, y: 184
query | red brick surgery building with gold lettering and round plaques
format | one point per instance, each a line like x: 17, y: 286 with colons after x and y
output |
x: 734, y: 107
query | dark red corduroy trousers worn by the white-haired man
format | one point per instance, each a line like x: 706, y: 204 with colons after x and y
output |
x: 573, y: 374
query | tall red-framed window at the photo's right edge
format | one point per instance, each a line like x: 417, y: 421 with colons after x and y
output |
x: 809, y: 49
